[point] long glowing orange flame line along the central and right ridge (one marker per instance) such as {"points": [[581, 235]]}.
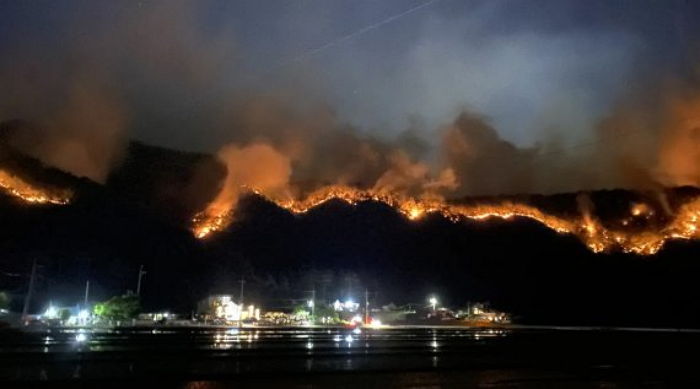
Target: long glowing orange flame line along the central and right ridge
{"points": [[596, 236]]}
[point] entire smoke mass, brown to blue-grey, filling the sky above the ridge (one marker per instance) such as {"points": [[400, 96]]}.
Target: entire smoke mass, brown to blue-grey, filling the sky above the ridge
{"points": [[548, 108]]}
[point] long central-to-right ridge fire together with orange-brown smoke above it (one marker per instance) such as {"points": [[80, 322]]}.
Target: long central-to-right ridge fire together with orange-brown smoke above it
{"points": [[473, 160]]}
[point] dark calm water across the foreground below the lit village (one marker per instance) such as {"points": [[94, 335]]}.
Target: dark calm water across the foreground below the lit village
{"points": [[401, 357]]}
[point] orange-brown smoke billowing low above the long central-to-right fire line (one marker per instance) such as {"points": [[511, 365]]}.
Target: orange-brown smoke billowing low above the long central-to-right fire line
{"points": [[640, 145]]}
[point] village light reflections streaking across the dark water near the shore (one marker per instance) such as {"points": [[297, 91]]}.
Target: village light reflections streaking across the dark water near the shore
{"points": [[311, 344]]}
